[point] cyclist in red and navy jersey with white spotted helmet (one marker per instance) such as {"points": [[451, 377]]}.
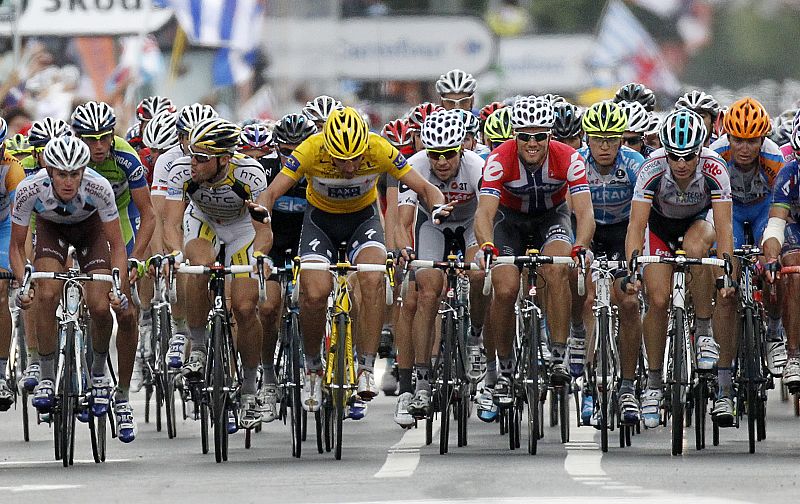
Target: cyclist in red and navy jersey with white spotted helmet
{"points": [[525, 185]]}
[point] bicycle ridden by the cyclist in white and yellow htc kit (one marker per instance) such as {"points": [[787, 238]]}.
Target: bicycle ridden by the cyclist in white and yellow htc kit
{"points": [[223, 373]]}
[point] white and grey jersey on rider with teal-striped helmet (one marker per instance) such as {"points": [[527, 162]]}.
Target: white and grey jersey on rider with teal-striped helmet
{"points": [[655, 185]]}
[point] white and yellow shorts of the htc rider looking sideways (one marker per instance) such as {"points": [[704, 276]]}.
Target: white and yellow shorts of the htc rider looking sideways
{"points": [[237, 235]]}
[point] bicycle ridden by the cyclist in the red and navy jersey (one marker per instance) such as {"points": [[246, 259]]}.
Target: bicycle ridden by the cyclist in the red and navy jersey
{"points": [[530, 378]]}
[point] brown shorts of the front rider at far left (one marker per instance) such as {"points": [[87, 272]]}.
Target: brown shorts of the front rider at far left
{"points": [[88, 238]]}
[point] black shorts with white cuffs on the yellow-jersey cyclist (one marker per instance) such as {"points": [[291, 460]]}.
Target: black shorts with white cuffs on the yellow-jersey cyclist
{"points": [[323, 232]]}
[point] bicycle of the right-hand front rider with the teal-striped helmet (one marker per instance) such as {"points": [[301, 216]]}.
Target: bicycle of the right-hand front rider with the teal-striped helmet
{"points": [[680, 356]]}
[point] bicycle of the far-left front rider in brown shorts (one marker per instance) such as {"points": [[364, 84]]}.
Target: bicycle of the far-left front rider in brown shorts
{"points": [[72, 374]]}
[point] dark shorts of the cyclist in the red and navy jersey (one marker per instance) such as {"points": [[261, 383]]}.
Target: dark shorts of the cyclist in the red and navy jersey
{"points": [[514, 231]]}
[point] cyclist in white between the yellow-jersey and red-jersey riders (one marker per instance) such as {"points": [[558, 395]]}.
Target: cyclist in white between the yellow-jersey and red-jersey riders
{"points": [[456, 172]]}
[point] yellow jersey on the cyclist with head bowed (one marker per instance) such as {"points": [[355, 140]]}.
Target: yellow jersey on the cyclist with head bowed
{"points": [[328, 189]]}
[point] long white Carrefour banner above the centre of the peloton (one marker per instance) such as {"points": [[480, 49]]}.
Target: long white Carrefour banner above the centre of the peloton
{"points": [[406, 47]]}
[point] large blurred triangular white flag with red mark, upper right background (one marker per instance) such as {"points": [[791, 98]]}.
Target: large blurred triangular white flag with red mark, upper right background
{"points": [[625, 52]]}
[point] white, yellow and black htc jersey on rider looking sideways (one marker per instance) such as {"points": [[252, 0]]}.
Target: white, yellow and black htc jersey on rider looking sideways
{"points": [[223, 201]]}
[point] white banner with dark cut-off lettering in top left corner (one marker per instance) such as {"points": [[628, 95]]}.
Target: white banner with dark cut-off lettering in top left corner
{"points": [[81, 17]]}
